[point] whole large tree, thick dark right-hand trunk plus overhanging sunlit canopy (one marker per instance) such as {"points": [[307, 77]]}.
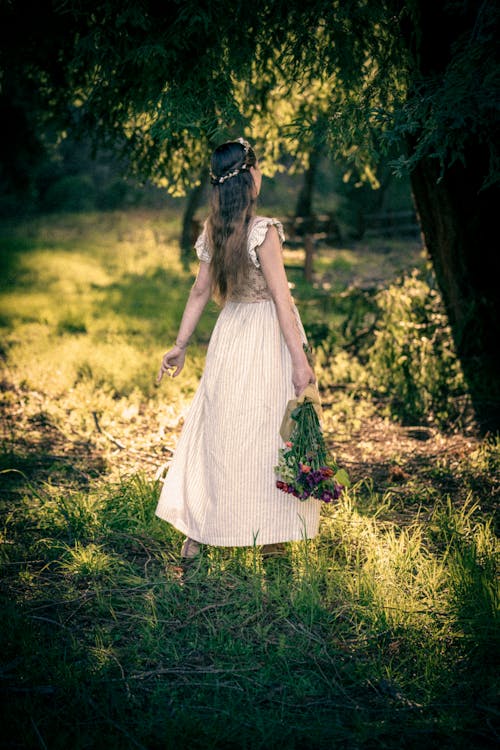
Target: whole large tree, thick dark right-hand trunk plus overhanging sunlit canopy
{"points": [[164, 81]]}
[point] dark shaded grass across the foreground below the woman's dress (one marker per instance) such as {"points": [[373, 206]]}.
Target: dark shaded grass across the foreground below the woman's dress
{"points": [[230, 657]]}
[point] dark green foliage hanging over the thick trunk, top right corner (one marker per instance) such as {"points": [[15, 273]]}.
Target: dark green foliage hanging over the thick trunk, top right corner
{"points": [[447, 110]]}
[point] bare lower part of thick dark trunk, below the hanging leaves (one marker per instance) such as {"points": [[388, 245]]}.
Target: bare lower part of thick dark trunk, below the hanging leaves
{"points": [[460, 226]]}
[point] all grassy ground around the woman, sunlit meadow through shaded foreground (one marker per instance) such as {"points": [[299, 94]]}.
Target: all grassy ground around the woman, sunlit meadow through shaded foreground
{"points": [[380, 633]]}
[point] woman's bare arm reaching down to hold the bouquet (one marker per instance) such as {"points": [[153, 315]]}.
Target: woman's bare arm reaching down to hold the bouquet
{"points": [[271, 263]]}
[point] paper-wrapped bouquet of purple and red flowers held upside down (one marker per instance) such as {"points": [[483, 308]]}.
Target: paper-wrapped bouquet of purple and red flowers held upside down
{"points": [[304, 468]]}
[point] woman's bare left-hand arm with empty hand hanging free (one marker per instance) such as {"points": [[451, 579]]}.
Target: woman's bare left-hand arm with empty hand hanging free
{"points": [[198, 297]]}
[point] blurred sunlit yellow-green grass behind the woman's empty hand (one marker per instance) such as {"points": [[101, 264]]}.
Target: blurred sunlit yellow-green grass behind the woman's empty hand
{"points": [[96, 302]]}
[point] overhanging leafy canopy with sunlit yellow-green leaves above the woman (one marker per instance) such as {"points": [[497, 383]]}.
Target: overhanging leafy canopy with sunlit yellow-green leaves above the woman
{"points": [[163, 84]]}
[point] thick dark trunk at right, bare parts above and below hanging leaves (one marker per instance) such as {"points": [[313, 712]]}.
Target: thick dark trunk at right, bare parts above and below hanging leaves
{"points": [[459, 220]]}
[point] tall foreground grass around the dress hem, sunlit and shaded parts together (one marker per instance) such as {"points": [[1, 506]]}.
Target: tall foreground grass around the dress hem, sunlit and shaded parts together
{"points": [[370, 635]]}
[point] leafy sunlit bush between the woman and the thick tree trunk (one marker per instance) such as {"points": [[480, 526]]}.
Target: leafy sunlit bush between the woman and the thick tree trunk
{"points": [[391, 344]]}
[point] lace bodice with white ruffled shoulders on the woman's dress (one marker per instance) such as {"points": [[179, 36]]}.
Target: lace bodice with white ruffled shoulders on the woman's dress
{"points": [[255, 288]]}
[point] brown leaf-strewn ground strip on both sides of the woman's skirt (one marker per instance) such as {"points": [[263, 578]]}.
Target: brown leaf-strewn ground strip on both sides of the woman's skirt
{"points": [[414, 465]]}
